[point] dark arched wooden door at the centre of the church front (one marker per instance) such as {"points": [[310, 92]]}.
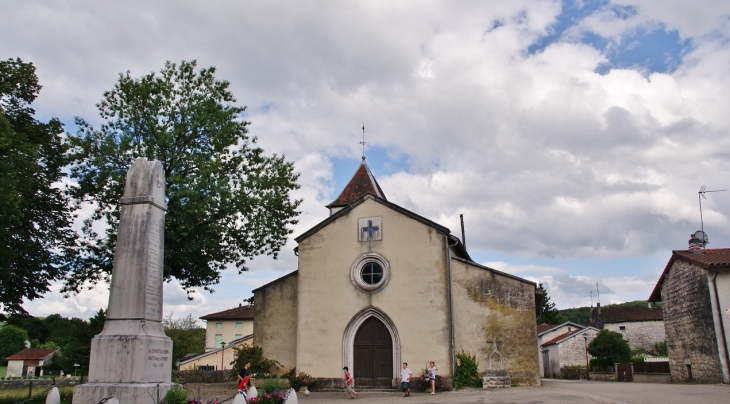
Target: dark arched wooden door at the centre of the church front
{"points": [[373, 349]]}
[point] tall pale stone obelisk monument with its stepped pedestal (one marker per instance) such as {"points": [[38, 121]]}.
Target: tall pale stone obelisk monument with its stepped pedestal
{"points": [[132, 356]]}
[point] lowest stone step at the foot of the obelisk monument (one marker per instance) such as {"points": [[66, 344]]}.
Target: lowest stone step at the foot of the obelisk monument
{"points": [[126, 393]]}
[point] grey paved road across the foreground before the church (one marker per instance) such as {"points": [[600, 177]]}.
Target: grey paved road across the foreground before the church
{"points": [[553, 391]]}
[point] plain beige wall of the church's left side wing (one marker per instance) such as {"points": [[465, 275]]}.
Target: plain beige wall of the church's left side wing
{"points": [[275, 321]]}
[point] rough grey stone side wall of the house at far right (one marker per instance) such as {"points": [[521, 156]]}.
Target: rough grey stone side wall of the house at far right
{"points": [[688, 323]]}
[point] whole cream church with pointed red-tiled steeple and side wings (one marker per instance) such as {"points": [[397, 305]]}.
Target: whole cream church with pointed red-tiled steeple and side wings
{"points": [[378, 285]]}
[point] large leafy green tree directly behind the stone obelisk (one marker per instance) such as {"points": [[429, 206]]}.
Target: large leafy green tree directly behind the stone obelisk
{"points": [[227, 201]]}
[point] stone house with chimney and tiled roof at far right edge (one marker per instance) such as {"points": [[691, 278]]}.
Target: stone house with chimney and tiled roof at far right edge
{"points": [[695, 293]]}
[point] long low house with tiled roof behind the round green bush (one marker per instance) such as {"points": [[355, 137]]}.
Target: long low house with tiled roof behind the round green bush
{"points": [[641, 326]]}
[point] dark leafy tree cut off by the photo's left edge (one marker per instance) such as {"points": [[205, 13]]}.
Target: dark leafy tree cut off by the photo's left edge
{"points": [[37, 244]]}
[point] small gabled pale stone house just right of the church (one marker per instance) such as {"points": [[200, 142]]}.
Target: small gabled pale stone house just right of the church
{"points": [[566, 349]]}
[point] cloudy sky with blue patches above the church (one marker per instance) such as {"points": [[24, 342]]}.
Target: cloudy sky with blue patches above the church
{"points": [[573, 136]]}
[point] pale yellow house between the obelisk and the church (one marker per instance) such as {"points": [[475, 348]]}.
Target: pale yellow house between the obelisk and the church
{"points": [[227, 325]]}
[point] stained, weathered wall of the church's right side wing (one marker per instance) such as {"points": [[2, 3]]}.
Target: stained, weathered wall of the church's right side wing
{"points": [[489, 305]]}
